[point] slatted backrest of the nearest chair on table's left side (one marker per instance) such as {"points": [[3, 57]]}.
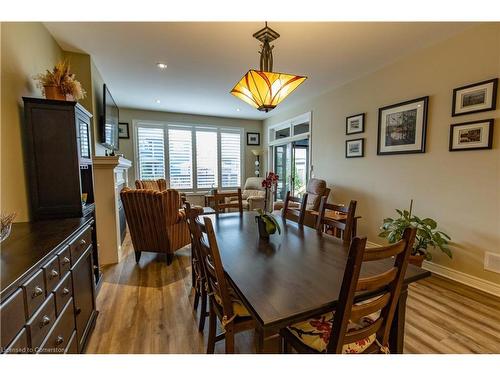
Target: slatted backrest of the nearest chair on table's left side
{"points": [[212, 263]]}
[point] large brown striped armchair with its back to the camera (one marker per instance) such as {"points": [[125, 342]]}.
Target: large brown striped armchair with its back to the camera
{"points": [[156, 221]]}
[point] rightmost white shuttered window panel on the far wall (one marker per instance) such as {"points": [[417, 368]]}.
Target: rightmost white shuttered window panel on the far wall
{"points": [[230, 144]]}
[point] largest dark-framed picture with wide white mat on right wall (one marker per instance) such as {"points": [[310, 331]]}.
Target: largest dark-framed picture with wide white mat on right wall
{"points": [[402, 127]]}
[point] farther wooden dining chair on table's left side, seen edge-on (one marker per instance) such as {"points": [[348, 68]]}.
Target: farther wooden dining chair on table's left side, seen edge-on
{"points": [[198, 278]]}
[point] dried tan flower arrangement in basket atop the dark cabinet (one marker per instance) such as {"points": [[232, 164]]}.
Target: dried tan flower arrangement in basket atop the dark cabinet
{"points": [[60, 83]]}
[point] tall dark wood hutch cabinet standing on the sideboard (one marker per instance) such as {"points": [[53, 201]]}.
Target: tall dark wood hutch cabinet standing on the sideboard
{"points": [[59, 152]]}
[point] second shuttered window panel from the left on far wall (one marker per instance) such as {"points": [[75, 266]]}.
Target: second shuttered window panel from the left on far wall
{"points": [[180, 155]]}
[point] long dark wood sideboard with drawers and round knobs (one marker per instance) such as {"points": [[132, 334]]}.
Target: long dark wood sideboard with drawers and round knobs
{"points": [[47, 298]]}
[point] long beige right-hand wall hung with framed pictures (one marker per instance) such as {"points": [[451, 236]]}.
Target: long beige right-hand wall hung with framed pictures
{"points": [[461, 190]]}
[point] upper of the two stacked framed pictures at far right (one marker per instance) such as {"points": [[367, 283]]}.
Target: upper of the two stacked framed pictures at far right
{"points": [[475, 98]]}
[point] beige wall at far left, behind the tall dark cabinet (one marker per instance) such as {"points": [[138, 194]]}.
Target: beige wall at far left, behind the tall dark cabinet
{"points": [[27, 49]]}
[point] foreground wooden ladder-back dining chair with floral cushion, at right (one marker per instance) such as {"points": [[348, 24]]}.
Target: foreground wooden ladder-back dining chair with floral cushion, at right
{"points": [[358, 325]]}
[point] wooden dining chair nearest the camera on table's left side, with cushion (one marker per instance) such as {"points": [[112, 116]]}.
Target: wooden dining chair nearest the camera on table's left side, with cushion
{"points": [[224, 303]]}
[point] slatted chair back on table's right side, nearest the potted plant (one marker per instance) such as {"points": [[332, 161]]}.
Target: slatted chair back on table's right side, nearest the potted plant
{"points": [[343, 229]]}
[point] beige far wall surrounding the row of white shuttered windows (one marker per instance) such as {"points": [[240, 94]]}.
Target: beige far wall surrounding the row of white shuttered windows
{"points": [[128, 115]]}
